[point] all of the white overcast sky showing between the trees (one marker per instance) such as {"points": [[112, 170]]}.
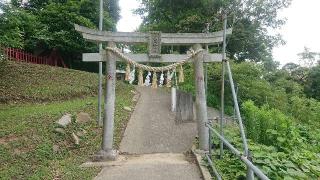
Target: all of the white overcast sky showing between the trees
{"points": [[302, 28]]}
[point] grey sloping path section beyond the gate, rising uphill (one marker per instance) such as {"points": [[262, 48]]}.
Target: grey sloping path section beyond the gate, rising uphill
{"points": [[152, 127]]}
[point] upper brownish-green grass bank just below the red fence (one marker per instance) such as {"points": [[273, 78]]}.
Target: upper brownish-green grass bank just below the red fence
{"points": [[24, 82]]}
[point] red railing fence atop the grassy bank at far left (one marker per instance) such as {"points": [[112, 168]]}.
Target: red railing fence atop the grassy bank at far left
{"points": [[21, 56]]}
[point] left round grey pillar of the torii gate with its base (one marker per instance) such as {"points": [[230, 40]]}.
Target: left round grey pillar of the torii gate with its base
{"points": [[107, 152]]}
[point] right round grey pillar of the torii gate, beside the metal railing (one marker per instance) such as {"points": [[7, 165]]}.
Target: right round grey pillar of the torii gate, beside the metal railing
{"points": [[201, 102]]}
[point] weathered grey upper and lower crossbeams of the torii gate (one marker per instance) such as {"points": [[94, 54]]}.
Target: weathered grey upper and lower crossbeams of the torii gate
{"points": [[155, 39]]}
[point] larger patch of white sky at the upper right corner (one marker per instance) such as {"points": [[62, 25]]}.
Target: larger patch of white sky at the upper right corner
{"points": [[302, 29]]}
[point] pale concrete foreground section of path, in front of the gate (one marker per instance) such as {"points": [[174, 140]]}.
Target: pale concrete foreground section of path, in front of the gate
{"points": [[152, 167]]}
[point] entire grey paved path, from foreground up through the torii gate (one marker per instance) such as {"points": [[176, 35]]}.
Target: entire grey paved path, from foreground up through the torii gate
{"points": [[155, 144]]}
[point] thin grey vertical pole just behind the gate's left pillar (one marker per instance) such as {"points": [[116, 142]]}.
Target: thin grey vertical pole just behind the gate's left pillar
{"points": [[100, 68]]}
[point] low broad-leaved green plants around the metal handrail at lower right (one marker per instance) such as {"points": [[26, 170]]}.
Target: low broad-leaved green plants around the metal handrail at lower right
{"points": [[300, 162]]}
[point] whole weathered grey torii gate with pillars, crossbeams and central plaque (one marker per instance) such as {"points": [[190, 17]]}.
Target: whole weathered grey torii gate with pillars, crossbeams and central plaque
{"points": [[155, 40]]}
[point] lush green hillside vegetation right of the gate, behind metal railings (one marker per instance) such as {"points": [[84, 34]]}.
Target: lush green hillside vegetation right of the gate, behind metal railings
{"points": [[281, 122]]}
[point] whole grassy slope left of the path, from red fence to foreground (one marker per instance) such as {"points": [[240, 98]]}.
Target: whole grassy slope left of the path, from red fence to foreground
{"points": [[27, 130]]}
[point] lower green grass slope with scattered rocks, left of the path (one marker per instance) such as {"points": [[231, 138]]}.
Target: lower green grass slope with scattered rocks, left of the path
{"points": [[27, 138]]}
